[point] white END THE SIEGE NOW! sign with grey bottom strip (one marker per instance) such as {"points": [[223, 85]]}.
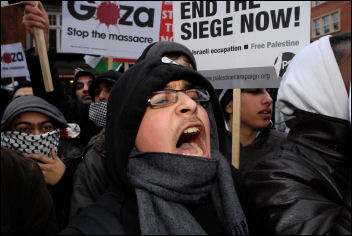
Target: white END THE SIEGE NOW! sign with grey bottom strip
{"points": [[242, 44]]}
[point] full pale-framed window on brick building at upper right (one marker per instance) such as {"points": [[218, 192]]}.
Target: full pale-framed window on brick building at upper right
{"points": [[326, 24]]}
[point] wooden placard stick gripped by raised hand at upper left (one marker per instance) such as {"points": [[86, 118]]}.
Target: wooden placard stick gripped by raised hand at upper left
{"points": [[43, 57]]}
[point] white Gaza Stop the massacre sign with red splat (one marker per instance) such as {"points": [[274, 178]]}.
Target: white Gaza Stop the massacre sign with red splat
{"points": [[120, 29]]}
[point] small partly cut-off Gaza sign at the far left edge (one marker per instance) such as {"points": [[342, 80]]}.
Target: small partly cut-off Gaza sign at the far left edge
{"points": [[13, 61]]}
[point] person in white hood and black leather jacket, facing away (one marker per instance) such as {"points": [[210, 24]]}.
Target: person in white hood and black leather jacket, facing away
{"points": [[305, 187]]}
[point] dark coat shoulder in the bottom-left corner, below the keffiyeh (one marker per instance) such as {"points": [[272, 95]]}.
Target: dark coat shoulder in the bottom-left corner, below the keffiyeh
{"points": [[26, 205]]}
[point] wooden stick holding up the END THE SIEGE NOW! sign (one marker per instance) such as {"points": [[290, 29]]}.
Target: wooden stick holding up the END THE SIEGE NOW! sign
{"points": [[236, 124]]}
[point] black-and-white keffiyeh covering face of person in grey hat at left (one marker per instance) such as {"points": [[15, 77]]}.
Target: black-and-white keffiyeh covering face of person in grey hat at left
{"points": [[27, 144]]}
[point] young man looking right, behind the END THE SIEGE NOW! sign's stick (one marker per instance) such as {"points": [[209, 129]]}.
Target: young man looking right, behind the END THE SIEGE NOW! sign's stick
{"points": [[257, 136]]}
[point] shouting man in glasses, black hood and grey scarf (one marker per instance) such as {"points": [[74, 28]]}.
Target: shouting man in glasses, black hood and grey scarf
{"points": [[167, 176]]}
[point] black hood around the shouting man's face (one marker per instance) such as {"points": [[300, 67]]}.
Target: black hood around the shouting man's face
{"points": [[128, 102]]}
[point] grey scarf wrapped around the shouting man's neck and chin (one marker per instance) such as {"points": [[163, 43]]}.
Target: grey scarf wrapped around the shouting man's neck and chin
{"points": [[166, 182]]}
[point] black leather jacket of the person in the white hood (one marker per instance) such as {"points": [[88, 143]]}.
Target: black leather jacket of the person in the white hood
{"points": [[304, 188]]}
